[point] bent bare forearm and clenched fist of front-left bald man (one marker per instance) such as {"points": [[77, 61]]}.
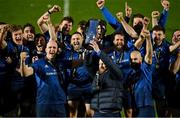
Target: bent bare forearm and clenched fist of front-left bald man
{"points": [[24, 69]]}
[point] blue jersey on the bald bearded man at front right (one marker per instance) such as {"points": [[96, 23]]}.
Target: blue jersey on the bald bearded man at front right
{"points": [[142, 87]]}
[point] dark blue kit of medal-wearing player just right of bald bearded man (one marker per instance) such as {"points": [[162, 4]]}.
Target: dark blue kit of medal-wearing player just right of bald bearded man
{"points": [[160, 68]]}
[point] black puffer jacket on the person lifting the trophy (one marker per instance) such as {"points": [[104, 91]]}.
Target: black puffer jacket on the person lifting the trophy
{"points": [[107, 87]]}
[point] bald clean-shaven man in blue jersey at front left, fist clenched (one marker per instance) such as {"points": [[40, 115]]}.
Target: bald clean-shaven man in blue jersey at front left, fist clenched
{"points": [[50, 97]]}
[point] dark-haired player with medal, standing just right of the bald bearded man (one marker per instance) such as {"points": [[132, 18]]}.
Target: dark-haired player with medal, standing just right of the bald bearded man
{"points": [[161, 56]]}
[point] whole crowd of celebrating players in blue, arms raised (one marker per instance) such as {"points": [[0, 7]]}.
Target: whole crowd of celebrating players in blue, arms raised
{"points": [[134, 70]]}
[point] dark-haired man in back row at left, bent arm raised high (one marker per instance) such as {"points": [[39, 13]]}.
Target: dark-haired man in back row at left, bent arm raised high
{"points": [[62, 30]]}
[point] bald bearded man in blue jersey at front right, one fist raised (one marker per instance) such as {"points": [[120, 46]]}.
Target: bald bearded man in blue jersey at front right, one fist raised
{"points": [[140, 80]]}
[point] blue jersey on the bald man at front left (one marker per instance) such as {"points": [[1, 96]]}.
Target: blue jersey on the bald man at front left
{"points": [[49, 90]]}
